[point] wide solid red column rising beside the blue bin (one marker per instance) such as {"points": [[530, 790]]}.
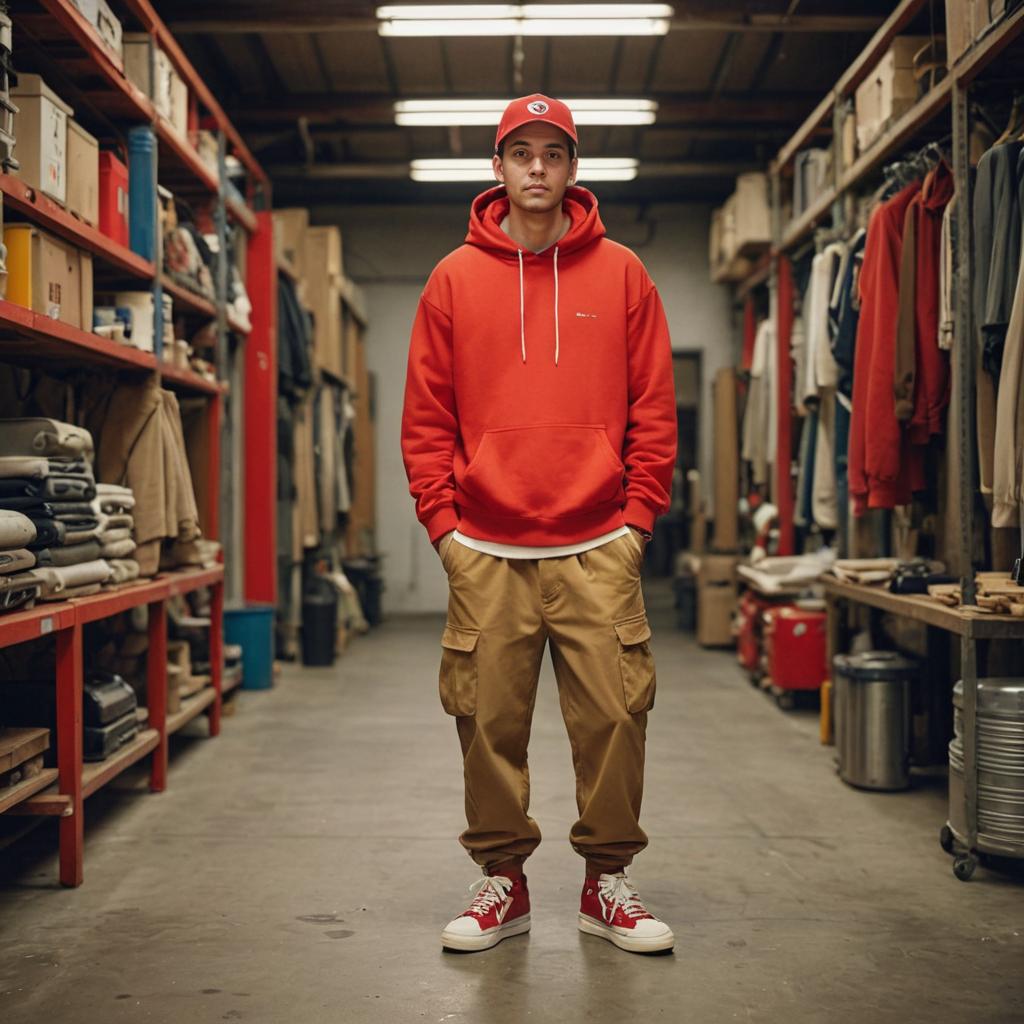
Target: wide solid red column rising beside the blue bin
{"points": [[262, 419]]}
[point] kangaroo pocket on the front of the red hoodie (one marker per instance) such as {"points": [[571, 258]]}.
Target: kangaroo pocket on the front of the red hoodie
{"points": [[549, 472]]}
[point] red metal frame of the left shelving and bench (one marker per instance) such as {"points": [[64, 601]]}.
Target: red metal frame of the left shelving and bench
{"points": [[71, 46]]}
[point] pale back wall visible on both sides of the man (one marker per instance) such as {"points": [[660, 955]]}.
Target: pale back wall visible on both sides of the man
{"points": [[392, 250]]}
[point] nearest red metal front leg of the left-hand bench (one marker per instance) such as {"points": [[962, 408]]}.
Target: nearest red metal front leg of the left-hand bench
{"points": [[69, 684]]}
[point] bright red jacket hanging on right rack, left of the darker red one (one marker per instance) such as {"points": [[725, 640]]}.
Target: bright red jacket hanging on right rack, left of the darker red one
{"points": [[883, 470]]}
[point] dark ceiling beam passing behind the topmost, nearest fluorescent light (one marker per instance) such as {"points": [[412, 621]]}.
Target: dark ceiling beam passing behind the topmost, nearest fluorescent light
{"points": [[279, 18]]}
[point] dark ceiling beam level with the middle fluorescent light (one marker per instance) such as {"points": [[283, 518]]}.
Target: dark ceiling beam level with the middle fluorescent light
{"points": [[359, 109]]}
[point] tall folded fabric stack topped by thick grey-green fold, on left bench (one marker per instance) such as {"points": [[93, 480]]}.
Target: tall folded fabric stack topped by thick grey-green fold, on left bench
{"points": [[47, 476]]}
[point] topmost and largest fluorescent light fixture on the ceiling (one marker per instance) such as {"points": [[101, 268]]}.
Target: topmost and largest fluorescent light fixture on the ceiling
{"points": [[526, 20]]}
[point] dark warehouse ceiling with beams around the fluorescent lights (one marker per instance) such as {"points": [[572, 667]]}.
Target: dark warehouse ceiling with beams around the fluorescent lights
{"points": [[312, 86]]}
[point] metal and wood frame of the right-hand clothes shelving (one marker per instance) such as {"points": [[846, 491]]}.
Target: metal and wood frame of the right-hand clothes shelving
{"points": [[953, 95]]}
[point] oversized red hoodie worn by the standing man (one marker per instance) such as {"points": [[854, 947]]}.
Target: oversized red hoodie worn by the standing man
{"points": [[540, 405]]}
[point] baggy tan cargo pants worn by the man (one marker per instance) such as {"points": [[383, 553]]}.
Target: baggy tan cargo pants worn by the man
{"points": [[501, 614]]}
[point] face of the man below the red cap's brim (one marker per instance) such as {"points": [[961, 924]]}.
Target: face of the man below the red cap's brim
{"points": [[536, 168]]}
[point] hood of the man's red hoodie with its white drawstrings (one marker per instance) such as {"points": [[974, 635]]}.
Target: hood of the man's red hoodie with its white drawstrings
{"points": [[491, 208]]}
